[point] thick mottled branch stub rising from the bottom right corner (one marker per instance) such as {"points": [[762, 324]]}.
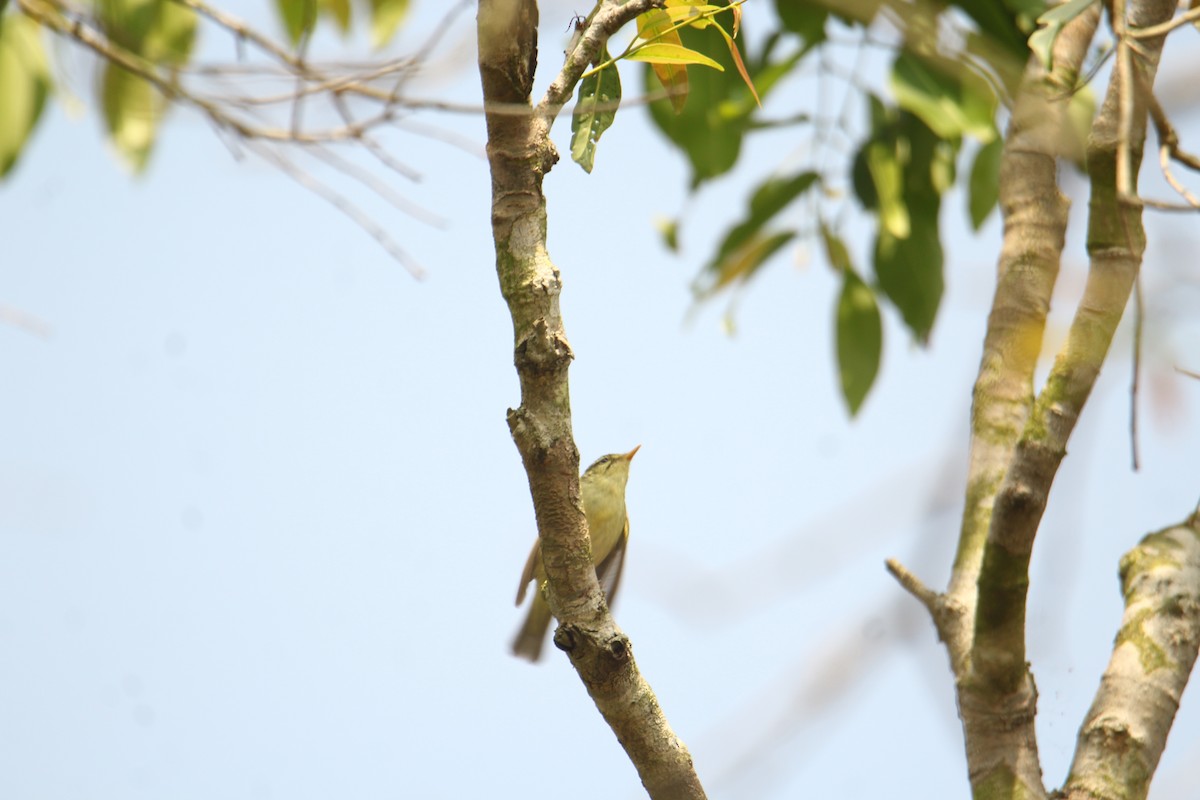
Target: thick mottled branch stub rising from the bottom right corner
{"points": [[1125, 732]]}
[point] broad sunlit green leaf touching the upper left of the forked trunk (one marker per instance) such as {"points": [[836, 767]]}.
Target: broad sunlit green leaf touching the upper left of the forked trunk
{"points": [[952, 100]]}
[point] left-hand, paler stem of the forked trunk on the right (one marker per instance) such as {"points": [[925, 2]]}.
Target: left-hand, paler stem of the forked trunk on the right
{"points": [[1035, 214]]}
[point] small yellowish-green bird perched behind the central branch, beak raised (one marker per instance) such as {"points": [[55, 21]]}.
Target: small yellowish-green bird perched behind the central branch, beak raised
{"points": [[603, 492]]}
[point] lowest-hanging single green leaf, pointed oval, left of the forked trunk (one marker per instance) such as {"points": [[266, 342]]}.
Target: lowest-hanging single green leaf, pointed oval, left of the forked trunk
{"points": [[860, 334]]}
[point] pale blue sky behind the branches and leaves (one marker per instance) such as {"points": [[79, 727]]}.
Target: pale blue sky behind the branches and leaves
{"points": [[262, 522]]}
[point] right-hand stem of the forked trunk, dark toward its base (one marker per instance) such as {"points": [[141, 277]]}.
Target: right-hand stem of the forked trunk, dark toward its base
{"points": [[1115, 244]]}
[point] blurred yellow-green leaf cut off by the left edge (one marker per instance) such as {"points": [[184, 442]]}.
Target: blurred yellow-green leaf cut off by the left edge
{"points": [[25, 86]]}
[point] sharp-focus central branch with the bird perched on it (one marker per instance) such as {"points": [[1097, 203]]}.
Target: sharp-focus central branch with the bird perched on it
{"points": [[520, 154]]}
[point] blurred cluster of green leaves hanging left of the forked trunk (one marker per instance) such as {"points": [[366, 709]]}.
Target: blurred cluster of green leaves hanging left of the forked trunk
{"points": [[953, 68]]}
